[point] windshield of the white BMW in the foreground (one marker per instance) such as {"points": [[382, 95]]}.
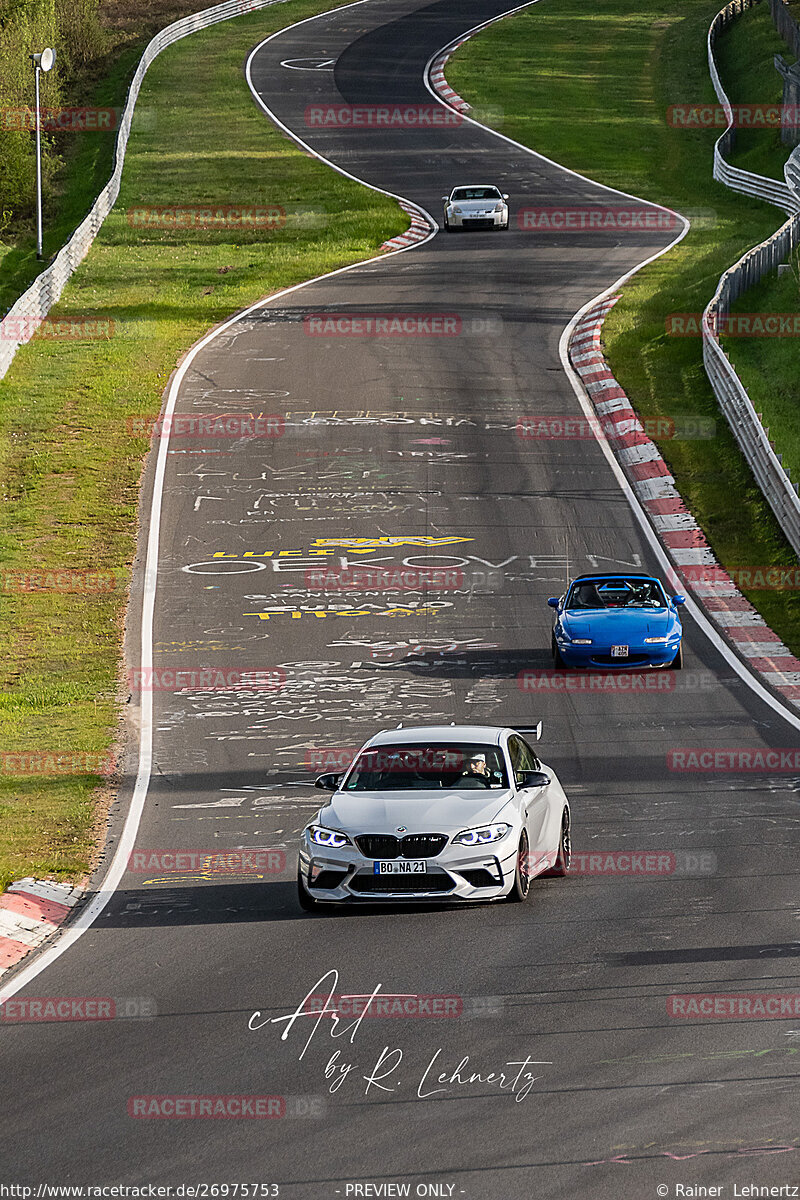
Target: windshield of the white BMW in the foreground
{"points": [[424, 766]]}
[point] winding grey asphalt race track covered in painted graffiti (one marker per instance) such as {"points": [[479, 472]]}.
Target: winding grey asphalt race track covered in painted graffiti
{"points": [[416, 437]]}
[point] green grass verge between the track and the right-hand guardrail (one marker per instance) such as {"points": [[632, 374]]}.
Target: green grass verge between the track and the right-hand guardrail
{"points": [[591, 88]]}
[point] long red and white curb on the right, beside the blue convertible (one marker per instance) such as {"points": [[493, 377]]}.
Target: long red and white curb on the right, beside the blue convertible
{"points": [[677, 529]]}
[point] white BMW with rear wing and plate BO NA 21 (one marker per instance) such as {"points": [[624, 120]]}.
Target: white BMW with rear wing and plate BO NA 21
{"points": [[437, 813]]}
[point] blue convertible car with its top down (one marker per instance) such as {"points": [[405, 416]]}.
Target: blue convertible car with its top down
{"points": [[617, 621]]}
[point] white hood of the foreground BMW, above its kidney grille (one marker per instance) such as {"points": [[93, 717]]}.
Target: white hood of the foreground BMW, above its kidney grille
{"points": [[435, 812]]}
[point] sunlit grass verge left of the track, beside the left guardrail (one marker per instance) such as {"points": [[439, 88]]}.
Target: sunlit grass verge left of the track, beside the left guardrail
{"points": [[70, 467]]}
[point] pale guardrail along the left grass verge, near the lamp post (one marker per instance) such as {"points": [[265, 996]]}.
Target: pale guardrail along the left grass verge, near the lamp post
{"points": [[21, 322]]}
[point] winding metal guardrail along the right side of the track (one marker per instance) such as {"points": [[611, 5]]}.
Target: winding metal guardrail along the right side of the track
{"points": [[732, 397]]}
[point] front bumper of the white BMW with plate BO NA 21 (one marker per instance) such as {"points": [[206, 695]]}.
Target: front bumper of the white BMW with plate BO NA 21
{"points": [[458, 874]]}
